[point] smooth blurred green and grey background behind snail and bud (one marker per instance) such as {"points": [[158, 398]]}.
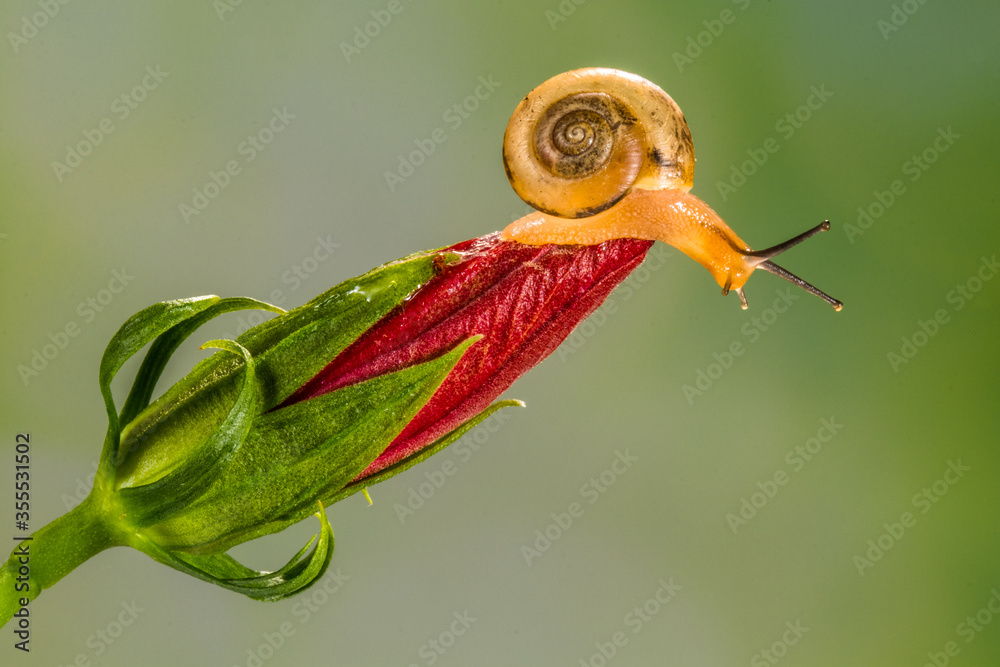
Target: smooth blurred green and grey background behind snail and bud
{"points": [[901, 82]]}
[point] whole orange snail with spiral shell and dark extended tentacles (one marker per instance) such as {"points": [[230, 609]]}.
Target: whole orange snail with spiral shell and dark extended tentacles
{"points": [[604, 154]]}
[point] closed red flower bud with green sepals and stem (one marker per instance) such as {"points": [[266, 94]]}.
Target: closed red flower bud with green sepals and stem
{"points": [[359, 384]]}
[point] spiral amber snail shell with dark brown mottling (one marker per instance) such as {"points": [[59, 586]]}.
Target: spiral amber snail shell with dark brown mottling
{"points": [[581, 141]]}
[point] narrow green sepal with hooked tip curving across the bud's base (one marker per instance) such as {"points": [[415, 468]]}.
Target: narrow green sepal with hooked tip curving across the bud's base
{"points": [[164, 497]]}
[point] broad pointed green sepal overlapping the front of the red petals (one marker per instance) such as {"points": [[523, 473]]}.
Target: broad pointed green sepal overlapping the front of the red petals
{"points": [[321, 445]]}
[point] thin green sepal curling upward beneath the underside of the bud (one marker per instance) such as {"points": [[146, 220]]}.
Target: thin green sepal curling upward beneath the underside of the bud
{"points": [[298, 573]]}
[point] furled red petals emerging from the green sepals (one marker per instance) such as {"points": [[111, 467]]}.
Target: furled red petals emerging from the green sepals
{"points": [[523, 299]]}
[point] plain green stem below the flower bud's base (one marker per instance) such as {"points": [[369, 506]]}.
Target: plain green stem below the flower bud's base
{"points": [[52, 553]]}
